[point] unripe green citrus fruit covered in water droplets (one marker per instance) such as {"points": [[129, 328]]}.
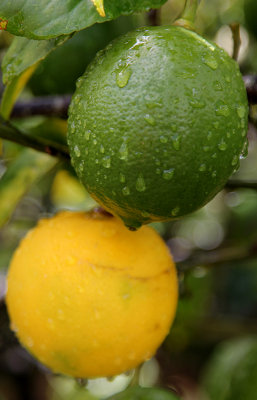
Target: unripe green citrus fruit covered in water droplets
{"points": [[157, 124]]}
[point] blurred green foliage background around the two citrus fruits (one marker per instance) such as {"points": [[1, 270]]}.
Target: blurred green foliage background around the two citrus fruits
{"points": [[211, 351]]}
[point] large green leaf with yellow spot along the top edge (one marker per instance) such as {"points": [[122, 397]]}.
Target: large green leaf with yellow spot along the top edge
{"points": [[46, 19]]}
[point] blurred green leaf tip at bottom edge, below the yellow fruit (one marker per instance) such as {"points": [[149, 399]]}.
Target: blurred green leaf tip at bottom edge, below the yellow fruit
{"points": [[140, 393]]}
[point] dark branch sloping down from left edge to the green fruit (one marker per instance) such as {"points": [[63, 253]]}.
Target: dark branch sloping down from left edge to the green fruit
{"points": [[9, 132]]}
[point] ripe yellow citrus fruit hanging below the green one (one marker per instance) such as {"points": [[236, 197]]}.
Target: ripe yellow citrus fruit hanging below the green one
{"points": [[89, 298]]}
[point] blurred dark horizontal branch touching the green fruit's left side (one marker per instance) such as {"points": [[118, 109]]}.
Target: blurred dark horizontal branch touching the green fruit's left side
{"points": [[50, 106]]}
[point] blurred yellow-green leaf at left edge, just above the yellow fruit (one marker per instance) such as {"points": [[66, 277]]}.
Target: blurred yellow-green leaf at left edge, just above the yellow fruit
{"points": [[18, 178]]}
